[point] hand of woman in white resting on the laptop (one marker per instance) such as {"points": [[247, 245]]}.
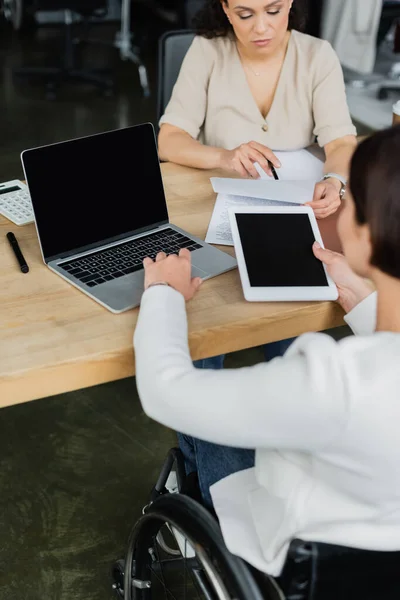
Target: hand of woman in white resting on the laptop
{"points": [[174, 270]]}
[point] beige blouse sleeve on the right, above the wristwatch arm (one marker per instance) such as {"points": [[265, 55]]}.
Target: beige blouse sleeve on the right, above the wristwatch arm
{"points": [[331, 113]]}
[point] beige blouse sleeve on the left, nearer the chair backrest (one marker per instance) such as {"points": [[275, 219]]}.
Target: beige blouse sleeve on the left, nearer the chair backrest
{"points": [[187, 106]]}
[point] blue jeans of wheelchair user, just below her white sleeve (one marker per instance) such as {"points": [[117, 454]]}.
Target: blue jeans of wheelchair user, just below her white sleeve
{"points": [[212, 462]]}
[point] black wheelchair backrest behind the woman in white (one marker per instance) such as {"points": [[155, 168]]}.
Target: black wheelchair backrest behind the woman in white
{"points": [[329, 572]]}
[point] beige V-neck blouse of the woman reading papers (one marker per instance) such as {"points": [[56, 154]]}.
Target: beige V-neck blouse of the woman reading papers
{"points": [[212, 100]]}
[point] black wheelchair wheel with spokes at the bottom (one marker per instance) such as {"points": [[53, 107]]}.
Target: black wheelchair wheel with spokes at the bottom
{"points": [[204, 568]]}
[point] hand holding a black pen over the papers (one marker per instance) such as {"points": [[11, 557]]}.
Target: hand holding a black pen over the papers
{"points": [[241, 159]]}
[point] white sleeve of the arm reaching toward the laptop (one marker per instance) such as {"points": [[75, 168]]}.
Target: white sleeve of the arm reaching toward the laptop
{"points": [[294, 402]]}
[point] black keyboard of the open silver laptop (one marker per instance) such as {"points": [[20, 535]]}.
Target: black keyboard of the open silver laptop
{"points": [[111, 263]]}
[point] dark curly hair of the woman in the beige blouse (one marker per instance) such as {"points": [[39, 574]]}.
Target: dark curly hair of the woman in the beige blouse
{"points": [[211, 21]]}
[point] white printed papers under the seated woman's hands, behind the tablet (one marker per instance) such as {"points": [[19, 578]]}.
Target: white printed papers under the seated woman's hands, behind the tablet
{"points": [[297, 177]]}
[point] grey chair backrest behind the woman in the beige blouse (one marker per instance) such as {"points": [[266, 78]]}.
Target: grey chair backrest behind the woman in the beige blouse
{"points": [[172, 48]]}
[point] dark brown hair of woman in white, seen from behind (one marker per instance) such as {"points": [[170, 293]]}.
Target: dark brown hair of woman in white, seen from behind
{"points": [[375, 186]]}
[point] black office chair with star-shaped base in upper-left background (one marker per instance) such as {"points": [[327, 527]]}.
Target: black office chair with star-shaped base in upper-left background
{"points": [[67, 70]]}
